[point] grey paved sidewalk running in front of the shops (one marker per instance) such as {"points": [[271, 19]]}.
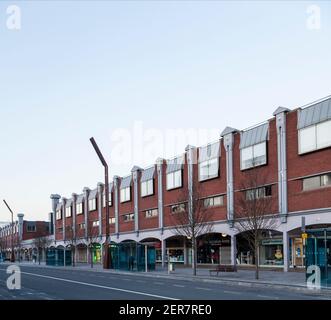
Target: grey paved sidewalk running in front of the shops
{"points": [[243, 277]]}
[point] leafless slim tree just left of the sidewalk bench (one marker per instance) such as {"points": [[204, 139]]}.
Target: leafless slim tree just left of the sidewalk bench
{"points": [[192, 223]]}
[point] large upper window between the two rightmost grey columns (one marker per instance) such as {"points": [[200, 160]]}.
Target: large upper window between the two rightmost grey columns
{"points": [[254, 156]]}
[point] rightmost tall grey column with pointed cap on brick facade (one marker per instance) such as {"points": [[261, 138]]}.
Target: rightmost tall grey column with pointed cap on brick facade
{"points": [[280, 115]]}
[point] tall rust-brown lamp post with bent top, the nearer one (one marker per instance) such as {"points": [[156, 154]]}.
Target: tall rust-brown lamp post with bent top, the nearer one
{"points": [[106, 260]]}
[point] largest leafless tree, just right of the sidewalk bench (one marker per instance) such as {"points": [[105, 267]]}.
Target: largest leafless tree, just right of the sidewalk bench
{"points": [[253, 211]]}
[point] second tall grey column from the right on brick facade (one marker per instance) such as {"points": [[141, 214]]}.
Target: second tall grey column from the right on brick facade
{"points": [[228, 141]]}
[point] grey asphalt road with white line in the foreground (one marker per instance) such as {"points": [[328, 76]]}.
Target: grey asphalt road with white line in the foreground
{"points": [[50, 283]]}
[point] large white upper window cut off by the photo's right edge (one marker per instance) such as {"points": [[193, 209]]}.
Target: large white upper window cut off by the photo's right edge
{"points": [[315, 137]]}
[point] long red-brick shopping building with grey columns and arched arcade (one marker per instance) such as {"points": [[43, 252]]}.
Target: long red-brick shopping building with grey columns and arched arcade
{"points": [[291, 150]]}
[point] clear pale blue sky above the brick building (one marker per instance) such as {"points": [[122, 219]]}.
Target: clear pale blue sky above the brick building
{"points": [[145, 79]]}
